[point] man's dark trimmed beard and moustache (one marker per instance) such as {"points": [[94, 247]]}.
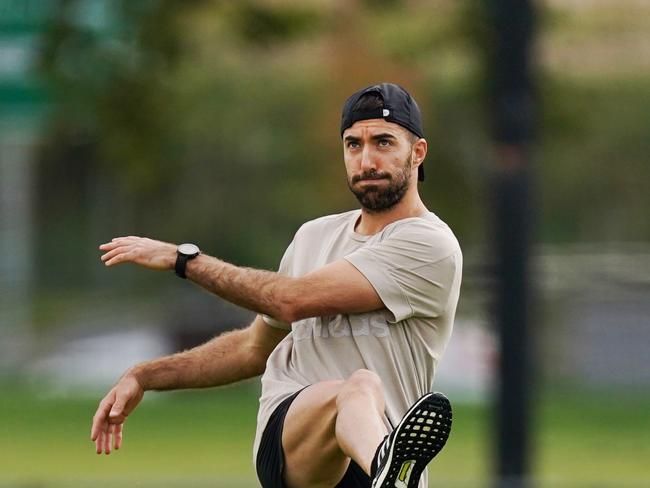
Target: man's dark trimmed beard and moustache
{"points": [[381, 198]]}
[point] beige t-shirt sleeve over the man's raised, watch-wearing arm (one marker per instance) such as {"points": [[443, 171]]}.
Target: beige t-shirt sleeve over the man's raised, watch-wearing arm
{"points": [[412, 270]]}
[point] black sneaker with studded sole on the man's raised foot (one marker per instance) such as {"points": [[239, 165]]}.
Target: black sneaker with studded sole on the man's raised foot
{"points": [[422, 433]]}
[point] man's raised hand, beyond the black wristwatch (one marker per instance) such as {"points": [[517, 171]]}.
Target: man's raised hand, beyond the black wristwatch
{"points": [[139, 250]]}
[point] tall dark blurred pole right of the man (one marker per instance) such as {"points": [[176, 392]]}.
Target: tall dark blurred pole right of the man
{"points": [[511, 187]]}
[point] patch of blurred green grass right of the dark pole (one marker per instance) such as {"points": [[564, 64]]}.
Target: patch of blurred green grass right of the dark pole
{"points": [[595, 440]]}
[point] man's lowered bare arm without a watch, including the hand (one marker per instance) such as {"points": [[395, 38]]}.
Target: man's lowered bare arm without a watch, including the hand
{"points": [[231, 357]]}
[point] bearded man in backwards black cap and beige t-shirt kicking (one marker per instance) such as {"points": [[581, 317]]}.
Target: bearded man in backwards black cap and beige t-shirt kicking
{"points": [[349, 330]]}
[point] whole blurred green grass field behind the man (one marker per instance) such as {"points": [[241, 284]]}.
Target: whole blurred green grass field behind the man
{"points": [[203, 439]]}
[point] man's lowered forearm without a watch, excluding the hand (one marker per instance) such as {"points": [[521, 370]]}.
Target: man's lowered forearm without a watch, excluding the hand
{"points": [[223, 360]]}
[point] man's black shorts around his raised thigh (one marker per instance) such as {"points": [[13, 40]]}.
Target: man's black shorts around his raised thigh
{"points": [[270, 456]]}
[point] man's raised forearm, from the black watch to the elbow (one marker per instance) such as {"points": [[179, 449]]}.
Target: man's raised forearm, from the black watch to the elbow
{"points": [[257, 290]]}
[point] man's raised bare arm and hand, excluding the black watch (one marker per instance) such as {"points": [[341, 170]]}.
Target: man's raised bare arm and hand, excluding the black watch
{"points": [[335, 288]]}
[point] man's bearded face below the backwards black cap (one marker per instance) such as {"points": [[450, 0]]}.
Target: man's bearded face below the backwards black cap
{"points": [[378, 159]]}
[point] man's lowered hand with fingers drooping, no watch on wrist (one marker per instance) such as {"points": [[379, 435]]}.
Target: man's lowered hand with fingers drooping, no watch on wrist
{"points": [[111, 414]]}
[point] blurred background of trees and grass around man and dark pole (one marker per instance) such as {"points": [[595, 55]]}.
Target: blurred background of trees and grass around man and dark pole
{"points": [[216, 122]]}
